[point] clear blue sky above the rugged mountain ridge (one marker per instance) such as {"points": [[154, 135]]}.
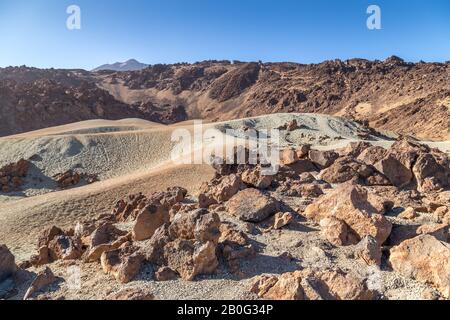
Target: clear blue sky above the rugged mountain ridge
{"points": [[34, 32]]}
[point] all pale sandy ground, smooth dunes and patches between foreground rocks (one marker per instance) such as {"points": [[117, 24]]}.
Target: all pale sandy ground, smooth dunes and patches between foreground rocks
{"points": [[132, 156]]}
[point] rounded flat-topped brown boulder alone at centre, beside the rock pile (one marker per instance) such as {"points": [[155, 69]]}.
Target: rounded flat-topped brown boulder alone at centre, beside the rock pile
{"points": [[252, 205]]}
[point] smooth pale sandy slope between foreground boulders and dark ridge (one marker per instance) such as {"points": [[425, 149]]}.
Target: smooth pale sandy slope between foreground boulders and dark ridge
{"points": [[129, 156]]}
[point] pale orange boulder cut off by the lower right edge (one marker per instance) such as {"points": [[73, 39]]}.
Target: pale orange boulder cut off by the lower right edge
{"points": [[425, 259]]}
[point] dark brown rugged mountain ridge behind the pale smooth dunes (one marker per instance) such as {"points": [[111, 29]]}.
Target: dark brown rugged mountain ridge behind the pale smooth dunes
{"points": [[409, 98]]}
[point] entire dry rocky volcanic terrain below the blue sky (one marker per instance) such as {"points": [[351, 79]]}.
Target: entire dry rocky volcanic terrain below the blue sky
{"points": [[92, 205]]}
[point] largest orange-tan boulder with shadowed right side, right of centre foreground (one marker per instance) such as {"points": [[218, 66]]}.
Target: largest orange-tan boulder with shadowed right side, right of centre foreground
{"points": [[359, 210]]}
